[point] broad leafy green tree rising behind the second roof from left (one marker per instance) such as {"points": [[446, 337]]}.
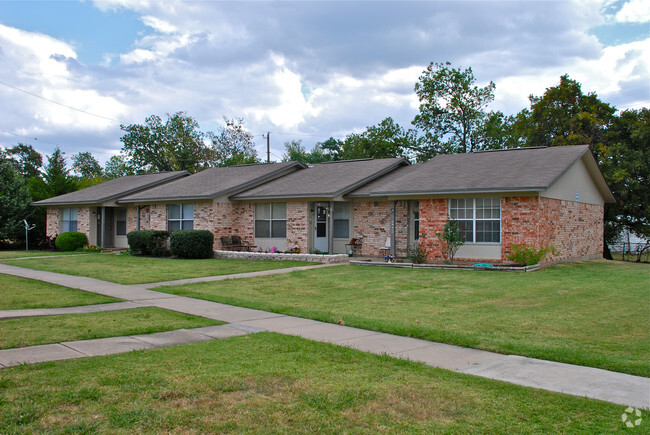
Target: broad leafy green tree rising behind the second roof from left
{"points": [[176, 145]]}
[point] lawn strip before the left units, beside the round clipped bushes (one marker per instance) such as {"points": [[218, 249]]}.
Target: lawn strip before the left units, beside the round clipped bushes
{"points": [[127, 269]]}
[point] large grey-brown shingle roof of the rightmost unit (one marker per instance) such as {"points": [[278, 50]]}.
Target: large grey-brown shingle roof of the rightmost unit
{"points": [[523, 169]]}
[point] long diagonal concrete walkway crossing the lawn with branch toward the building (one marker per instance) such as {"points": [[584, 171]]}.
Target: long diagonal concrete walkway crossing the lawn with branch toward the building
{"points": [[619, 388]]}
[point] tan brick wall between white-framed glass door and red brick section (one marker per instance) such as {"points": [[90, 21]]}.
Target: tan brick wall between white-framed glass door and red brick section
{"points": [[372, 225]]}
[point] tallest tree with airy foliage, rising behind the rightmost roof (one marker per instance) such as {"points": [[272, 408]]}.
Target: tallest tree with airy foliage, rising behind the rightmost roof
{"points": [[451, 108]]}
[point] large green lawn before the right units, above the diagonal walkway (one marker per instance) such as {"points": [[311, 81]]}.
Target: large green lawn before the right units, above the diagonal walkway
{"points": [[592, 313]]}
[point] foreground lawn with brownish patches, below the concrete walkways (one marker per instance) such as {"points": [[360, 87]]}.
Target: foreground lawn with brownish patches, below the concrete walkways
{"points": [[268, 383]]}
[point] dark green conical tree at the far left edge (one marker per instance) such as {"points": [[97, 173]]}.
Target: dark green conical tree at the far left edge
{"points": [[14, 203]]}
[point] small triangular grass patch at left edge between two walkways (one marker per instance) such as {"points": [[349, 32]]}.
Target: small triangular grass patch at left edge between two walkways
{"points": [[20, 293]]}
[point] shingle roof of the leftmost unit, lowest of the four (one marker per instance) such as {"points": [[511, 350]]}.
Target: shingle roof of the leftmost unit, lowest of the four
{"points": [[113, 189]]}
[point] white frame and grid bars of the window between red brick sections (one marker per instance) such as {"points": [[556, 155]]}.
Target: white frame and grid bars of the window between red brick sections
{"points": [[473, 219]]}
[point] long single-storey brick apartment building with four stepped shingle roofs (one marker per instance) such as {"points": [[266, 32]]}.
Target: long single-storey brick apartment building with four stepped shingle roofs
{"points": [[533, 196]]}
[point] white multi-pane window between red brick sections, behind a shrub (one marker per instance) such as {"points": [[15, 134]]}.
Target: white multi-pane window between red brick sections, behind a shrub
{"points": [[479, 219]]}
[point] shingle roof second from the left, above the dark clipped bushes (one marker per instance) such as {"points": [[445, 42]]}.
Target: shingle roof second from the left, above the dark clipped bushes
{"points": [[214, 182]]}
